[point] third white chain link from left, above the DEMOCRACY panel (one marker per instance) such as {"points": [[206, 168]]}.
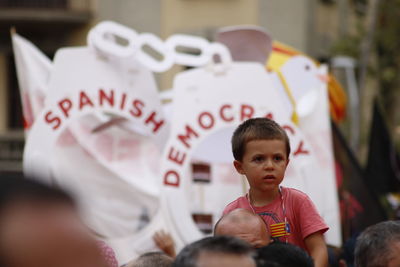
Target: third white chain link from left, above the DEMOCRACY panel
{"points": [[181, 40]]}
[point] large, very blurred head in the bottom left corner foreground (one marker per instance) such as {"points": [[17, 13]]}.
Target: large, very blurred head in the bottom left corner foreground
{"points": [[40, 226]]}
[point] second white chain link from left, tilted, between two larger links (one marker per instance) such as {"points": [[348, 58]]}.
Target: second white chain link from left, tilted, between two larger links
{"points": [[157, 44]]}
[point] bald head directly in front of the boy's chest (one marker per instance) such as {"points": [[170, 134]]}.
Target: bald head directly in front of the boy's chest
{"points": [[245, 225]]}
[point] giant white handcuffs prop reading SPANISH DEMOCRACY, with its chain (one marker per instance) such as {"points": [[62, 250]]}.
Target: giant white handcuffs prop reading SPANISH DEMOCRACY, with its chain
{"points": [[102, 134]]}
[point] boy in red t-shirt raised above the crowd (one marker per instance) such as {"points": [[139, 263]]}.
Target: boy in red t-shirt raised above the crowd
{"points": [[261, 150]]}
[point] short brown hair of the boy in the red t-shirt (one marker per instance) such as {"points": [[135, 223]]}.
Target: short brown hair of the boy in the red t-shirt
{"points": [[257, 129]]}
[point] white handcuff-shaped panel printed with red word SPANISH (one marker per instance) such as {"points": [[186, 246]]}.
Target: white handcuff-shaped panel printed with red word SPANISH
{"points": [[112, 169]]}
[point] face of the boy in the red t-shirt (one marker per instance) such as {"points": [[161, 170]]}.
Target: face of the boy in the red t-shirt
{"points": [[264, 164]]}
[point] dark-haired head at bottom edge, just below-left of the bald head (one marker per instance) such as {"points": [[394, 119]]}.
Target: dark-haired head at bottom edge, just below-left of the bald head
{"points": [[215, 252]]}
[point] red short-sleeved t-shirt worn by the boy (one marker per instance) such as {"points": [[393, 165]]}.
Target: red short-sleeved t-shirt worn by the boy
{"points": [[301, 214]]}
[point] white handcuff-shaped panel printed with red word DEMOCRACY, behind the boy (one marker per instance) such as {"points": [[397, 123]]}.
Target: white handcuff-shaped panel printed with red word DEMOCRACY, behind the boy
{"points": [[208, 106]]}
